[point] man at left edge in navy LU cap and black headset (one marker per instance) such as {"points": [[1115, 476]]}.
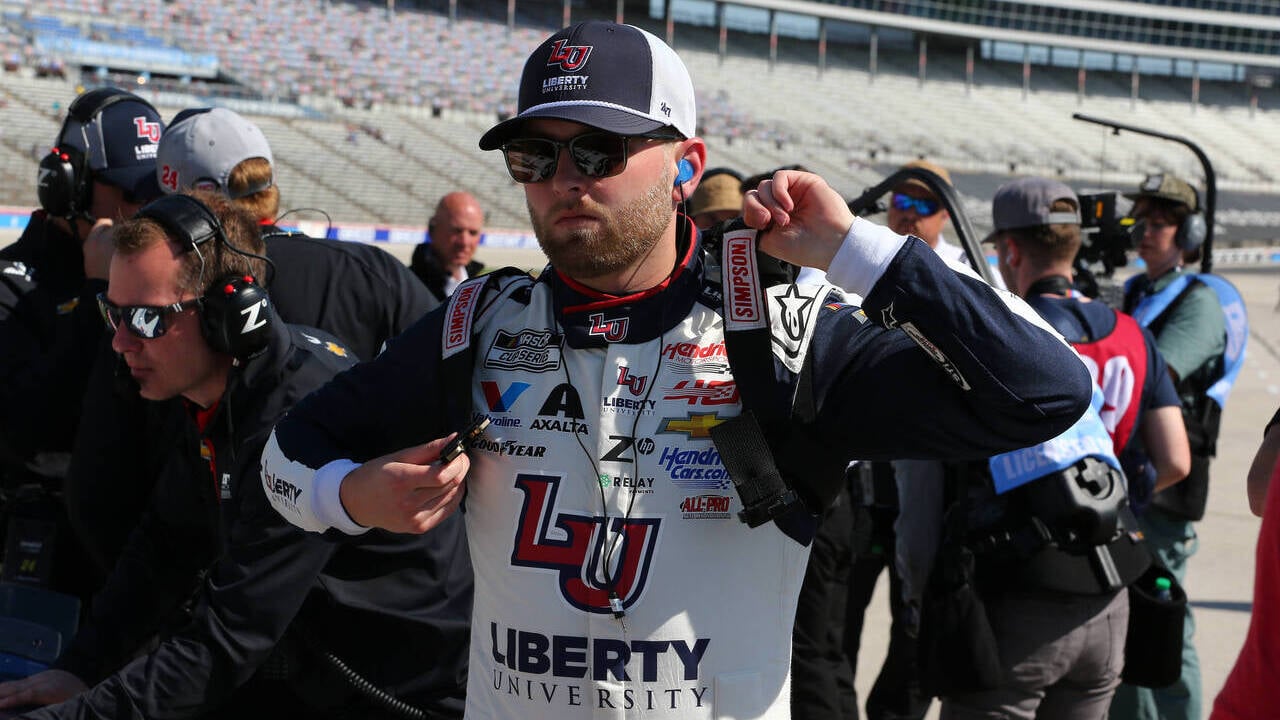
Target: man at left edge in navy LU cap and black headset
{"points": [[100, 171]]}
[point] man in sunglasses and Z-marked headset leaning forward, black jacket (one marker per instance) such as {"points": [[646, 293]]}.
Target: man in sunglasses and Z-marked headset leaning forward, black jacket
{"points": [[193, 322]]}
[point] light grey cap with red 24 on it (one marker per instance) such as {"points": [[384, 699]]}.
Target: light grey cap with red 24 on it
{"points": [[204, 145]]}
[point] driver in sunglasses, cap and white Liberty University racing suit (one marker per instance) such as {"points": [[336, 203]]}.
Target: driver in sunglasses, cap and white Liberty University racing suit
{"points": [[612, 573]]}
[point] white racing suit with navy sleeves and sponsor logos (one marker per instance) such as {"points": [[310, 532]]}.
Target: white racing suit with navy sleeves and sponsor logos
{"points": [[612, 577]]}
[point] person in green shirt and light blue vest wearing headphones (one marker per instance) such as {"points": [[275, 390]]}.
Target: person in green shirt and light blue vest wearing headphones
{"points": [[1201, 330]]}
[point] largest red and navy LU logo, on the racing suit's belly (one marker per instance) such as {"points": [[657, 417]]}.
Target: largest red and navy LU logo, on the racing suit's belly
{"points": [[573, 546]]}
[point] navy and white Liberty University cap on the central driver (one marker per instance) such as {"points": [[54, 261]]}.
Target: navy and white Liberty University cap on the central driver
{"points": [[614, 78]]}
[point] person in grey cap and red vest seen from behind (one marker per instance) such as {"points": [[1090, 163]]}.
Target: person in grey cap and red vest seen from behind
{"points": [[1058, 619]]}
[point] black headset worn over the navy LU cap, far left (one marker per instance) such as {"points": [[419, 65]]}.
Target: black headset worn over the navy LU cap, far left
{"points": [[65, 183]]}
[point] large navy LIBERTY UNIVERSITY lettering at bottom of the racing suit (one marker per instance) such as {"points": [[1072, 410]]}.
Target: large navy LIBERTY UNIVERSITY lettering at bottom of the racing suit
{"points": [[661, 675]]}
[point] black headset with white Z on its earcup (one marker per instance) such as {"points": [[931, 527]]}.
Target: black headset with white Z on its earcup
{"points": [[236, 313]]}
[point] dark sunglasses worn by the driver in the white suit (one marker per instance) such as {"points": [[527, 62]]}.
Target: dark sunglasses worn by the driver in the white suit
{"points": [[596, 154]]}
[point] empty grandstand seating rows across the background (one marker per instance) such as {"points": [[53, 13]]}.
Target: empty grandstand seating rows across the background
{"points": [[373, 119]]}
